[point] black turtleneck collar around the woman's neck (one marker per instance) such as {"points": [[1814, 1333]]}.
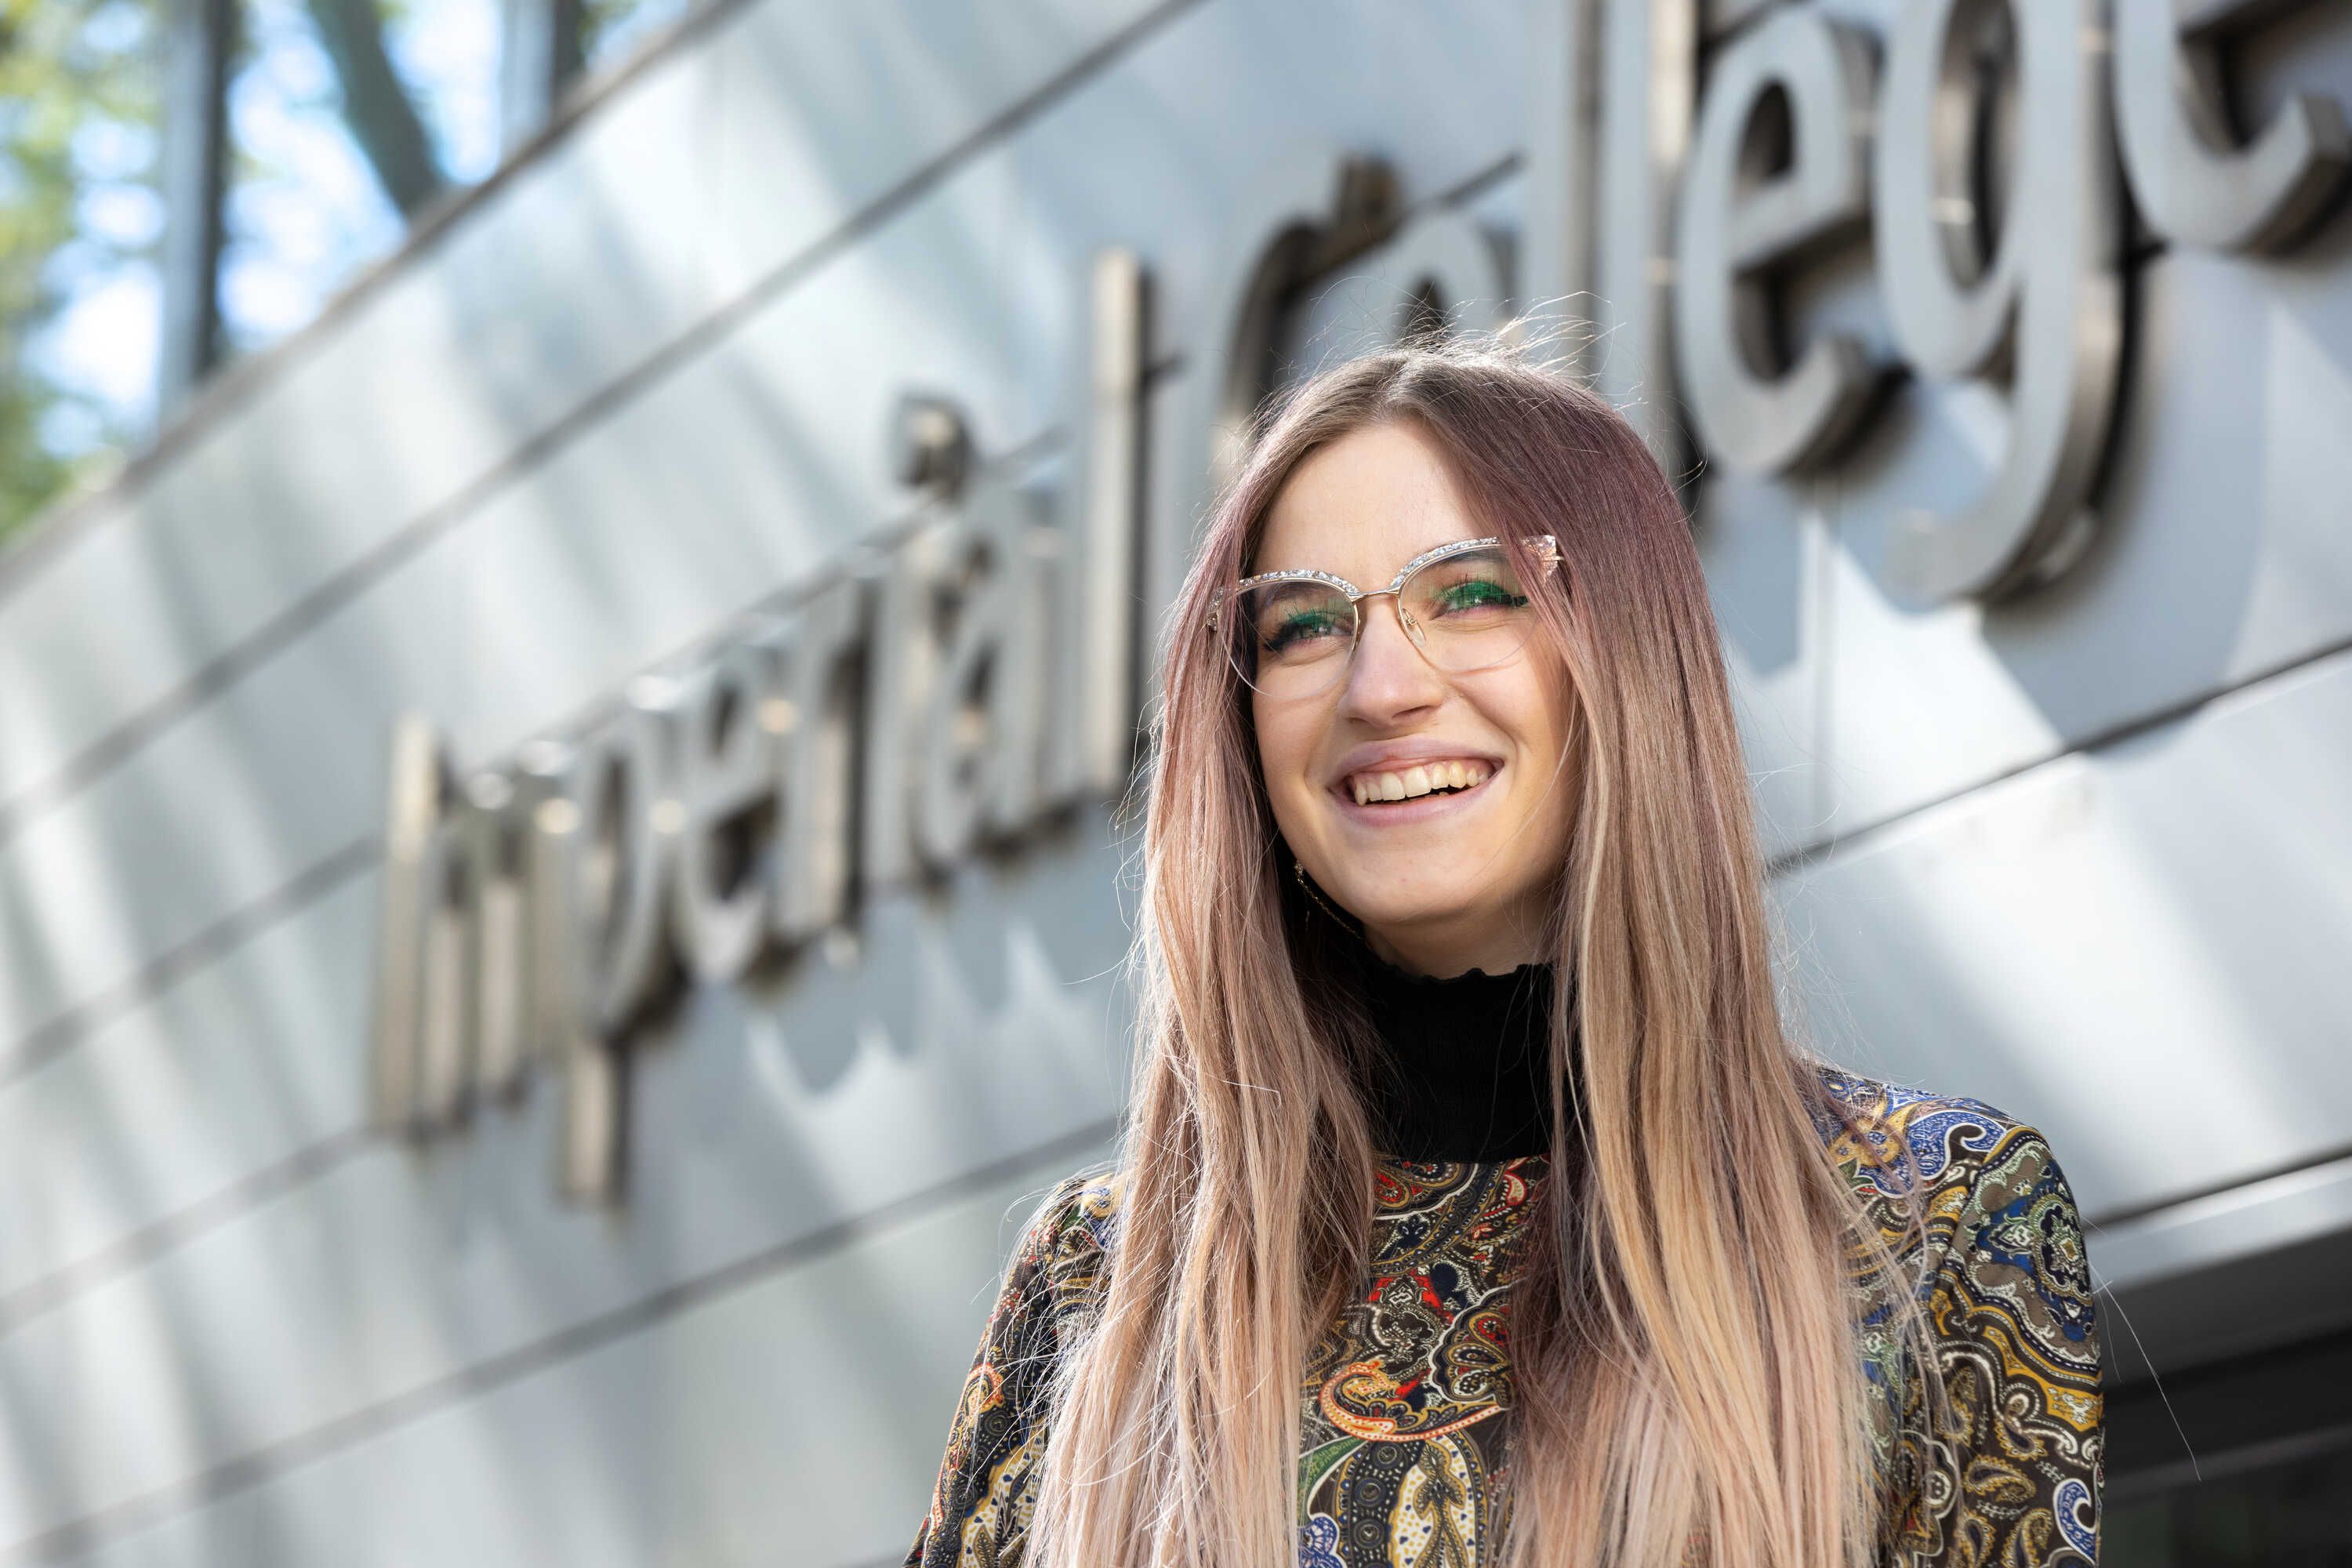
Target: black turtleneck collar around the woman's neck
{"points": [[1464, 1066]]}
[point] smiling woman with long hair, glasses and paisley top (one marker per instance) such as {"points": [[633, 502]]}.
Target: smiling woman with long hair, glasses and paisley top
{"points": [[1474, 1202]]}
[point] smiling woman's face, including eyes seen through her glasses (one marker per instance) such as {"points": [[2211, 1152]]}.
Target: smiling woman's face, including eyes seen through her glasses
{"points": [[1438, 678]]}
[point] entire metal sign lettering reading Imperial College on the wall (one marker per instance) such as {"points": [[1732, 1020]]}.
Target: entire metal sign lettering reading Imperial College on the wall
{"points": [[987, 669]]}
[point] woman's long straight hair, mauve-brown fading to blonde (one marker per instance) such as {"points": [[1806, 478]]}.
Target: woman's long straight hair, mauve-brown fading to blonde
{"points": [[1688, 1325]]}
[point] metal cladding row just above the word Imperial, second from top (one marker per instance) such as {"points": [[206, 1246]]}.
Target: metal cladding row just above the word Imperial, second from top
{"points": [[761, 457]]}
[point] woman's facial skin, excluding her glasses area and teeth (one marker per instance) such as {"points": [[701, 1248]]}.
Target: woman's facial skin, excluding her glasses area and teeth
{"points": [[1443, 883]]}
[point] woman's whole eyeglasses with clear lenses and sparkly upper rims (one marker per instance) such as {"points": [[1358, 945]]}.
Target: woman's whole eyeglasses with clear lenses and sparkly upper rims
{"points": [[1466, 605]]}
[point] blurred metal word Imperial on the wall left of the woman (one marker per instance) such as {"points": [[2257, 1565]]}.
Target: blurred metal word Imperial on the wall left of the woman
{"points": [[968, 683]]}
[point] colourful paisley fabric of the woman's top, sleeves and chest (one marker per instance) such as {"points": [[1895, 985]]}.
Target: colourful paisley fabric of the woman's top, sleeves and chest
{"points": [[1408, 1393]]}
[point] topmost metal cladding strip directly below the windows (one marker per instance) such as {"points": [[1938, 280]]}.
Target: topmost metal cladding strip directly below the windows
{"points": [[749, 152]]}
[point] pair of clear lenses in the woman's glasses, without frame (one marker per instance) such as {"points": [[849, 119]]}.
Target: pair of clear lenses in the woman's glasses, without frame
{"points": [[1295, 636]]}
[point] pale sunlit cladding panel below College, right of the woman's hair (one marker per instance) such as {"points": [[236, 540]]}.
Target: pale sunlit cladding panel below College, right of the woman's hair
{"points": [[2118, 946]]}
